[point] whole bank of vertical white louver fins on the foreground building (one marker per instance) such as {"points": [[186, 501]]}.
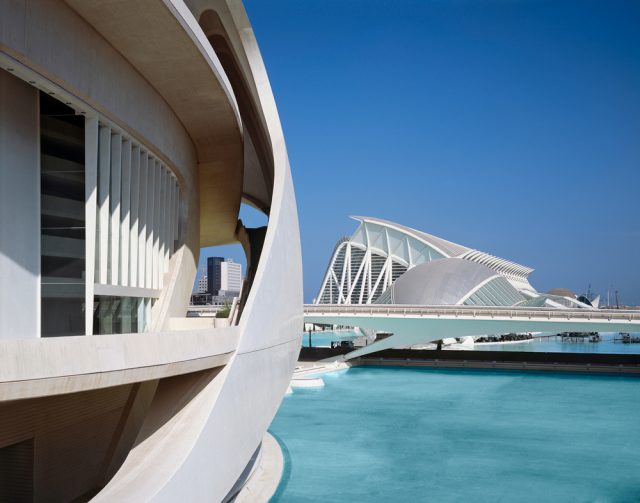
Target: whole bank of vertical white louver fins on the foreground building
{"points": [[137, 211]]}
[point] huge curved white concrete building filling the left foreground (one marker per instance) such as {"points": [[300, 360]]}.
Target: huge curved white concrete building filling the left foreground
{"points": [[130, 134]]}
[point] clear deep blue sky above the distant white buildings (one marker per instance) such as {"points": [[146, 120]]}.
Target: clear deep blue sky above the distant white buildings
{"points": [[508, 126]]}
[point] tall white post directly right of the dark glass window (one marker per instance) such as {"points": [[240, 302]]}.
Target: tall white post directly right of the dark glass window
{"points": [[90, 215]]}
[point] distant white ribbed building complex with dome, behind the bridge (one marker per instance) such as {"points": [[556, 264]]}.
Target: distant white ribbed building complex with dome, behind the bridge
{"points": [[385, 262]]}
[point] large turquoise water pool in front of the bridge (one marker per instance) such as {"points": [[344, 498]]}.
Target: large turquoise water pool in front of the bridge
{"points": [[403, 434]]}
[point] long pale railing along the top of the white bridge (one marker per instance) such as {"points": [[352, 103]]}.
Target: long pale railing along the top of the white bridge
{"points": [[472, 311]]}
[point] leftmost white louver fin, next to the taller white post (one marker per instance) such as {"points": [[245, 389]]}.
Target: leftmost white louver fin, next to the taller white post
{"points": [[104, 176]]}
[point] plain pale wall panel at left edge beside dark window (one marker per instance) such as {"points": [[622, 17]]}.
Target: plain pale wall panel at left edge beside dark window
{"points": [[20, 209]]}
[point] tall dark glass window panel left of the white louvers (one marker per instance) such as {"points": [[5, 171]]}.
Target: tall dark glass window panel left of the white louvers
{"points": [[62, 223]]}
